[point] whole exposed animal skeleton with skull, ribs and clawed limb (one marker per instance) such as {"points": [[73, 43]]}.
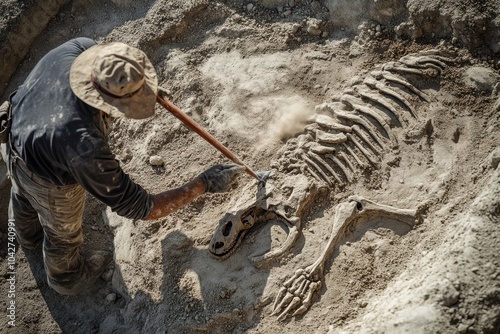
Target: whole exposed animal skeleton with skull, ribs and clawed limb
{"points": [[343, 140]]}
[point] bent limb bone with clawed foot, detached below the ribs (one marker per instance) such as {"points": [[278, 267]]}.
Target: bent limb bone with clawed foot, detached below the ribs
{"points": [[346, 213]]}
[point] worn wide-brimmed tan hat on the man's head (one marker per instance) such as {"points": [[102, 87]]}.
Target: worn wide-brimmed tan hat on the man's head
{"points": [[117, 79]]}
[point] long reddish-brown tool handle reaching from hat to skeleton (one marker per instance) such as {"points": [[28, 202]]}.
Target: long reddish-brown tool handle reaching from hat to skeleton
{"points": [[190, 123]]}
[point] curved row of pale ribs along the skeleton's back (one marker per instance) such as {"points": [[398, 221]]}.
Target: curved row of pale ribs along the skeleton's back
{"points": [[350, 135]]}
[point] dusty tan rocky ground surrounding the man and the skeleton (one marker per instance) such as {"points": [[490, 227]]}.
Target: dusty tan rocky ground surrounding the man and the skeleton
{"points": [[251, 72]]}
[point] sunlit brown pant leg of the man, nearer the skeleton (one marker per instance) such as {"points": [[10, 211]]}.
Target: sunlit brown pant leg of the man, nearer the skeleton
{"points": [[60, 212]]}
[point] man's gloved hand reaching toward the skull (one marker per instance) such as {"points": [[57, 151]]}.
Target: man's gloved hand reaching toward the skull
{"points": [[218, 178]]}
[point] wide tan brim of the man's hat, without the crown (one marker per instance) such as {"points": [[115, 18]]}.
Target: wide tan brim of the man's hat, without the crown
{"points": [[140, 105]]}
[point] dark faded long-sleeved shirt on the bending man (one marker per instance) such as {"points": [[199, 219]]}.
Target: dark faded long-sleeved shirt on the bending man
{"points": [[64, 140]]}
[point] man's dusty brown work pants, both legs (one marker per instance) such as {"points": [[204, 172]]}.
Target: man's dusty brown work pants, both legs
{"points": [[41, 210]]}
